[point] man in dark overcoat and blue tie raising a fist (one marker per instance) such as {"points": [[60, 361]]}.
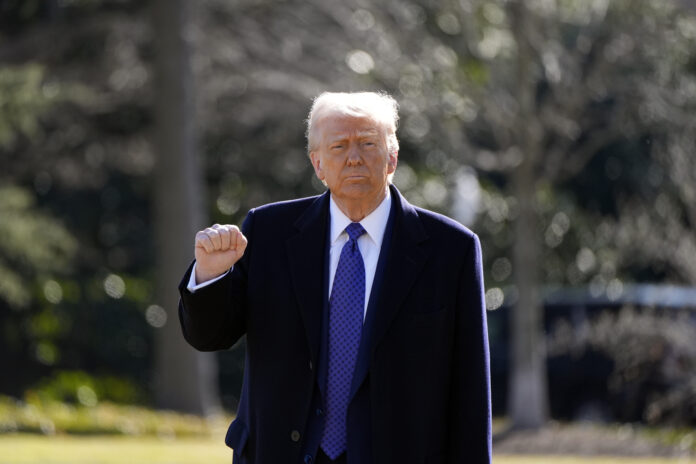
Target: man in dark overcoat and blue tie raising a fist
{"points": [[364, 315]]}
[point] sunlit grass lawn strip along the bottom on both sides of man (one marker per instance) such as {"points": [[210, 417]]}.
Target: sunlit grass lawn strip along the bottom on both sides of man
{"points": [[36, 449]]}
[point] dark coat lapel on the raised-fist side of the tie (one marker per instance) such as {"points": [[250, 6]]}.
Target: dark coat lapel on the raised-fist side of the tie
{"points": [[306, 252]]}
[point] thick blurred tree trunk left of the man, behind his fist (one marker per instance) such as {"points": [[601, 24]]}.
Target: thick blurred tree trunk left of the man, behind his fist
{"points": [[186, 380]]}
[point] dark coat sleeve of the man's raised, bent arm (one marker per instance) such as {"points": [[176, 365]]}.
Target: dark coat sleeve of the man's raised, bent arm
{"points": [[214, 317]]}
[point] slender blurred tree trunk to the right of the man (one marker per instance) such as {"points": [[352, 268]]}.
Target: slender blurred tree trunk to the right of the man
{"points": [[528, 397]]}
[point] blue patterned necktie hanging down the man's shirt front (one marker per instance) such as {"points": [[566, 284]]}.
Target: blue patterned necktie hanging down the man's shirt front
{"points": [[346, 307]]}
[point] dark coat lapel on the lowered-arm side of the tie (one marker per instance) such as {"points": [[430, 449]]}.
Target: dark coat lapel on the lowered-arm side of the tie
{"points": [[401, 260]]}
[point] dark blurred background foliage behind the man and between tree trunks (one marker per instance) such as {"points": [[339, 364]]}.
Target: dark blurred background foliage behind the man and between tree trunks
{"points": [[612, 86]]}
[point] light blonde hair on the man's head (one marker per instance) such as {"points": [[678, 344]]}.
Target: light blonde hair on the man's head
{"points": [[380, 107]]}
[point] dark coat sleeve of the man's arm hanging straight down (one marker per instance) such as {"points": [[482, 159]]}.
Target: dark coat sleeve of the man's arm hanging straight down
{"points": [[470, 420]]}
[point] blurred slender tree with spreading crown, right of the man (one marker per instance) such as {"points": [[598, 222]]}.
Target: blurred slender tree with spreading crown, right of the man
{"points": [[562, 82]]}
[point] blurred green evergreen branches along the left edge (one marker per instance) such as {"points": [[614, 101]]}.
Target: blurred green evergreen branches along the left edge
{"points": [[36, 250]]}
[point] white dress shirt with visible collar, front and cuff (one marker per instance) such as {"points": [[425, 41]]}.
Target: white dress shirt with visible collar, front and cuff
{"points": [[370, 244]]}
